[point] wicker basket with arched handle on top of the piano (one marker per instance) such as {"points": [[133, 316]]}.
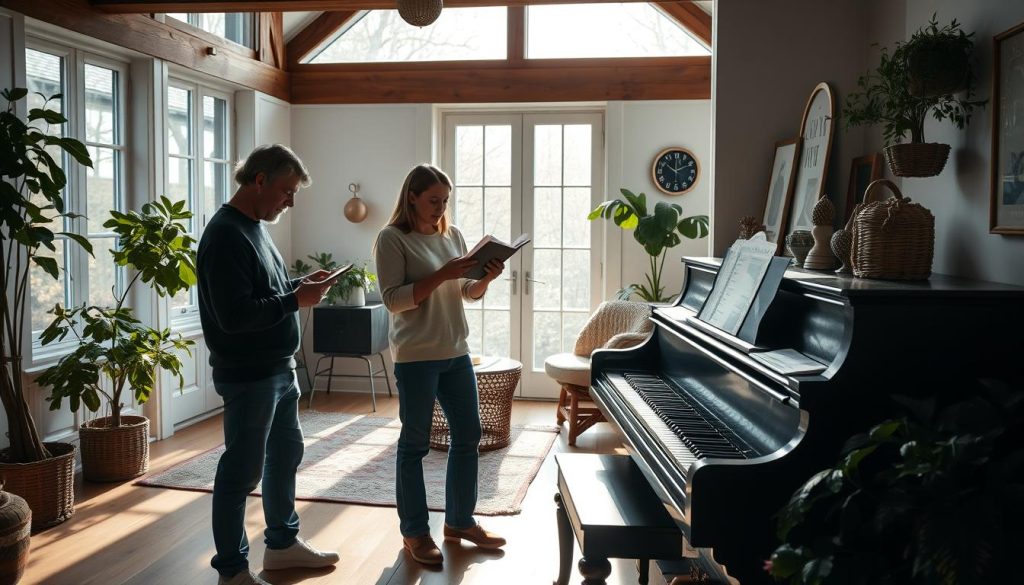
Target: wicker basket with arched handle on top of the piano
{"points": [[892, 239]]}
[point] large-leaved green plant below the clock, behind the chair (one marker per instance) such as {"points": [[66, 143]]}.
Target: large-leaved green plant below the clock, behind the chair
{"points": [[657, 233]]}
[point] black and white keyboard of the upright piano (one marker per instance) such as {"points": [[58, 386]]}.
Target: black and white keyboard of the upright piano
{"points": [[685, 432]]}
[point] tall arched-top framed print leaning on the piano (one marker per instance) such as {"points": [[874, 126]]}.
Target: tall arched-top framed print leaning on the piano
{"points": [[817, 138]]}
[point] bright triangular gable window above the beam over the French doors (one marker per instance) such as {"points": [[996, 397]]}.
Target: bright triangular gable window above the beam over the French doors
{"points": [[564, 31]]}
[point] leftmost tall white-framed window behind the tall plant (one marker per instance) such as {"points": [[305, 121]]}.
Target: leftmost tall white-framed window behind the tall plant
{"points": [[93, 99]]}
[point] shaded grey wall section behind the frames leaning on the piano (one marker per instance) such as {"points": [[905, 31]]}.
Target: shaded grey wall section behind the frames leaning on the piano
{"points": [[767, 59]]}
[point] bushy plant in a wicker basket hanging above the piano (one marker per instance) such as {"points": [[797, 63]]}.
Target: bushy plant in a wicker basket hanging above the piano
{"points": [[885, 97]]}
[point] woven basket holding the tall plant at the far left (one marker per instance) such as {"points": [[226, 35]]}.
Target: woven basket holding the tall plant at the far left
{"points": [[48, 486]]}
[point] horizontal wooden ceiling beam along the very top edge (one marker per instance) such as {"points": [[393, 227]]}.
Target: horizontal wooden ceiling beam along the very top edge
{"points": [[122, 7]]}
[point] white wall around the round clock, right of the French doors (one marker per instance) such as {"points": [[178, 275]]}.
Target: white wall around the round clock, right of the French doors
{"points": [[636, 132]]}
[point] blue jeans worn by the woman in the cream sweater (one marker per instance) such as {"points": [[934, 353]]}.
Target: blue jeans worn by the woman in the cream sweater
{"points": [[454, 385]]}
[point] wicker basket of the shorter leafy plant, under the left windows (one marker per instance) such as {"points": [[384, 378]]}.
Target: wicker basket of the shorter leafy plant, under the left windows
{"points": [[115, 454]]}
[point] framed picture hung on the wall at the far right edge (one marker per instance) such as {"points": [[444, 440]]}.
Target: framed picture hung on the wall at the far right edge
{"points": [[1006, 214]]}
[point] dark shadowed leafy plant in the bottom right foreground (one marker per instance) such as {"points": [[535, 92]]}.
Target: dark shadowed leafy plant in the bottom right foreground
{"points": [[934, 497]]}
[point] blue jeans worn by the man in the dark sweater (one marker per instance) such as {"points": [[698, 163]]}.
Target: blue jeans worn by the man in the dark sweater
{"points": [[263, 439]]}
